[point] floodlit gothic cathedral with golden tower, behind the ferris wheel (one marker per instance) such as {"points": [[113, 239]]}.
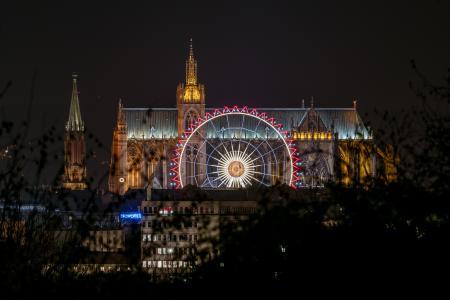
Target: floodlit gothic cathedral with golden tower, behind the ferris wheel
{"points": [[145, 141]]}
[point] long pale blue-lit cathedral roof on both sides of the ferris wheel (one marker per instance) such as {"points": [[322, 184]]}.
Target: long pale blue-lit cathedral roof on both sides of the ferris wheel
{"points": [[161, 123]]}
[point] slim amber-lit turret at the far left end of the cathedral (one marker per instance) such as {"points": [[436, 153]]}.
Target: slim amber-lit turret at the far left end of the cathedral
{"points": [[118, 170]]}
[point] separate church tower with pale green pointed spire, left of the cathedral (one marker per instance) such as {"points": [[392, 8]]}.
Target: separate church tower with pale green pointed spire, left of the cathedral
{"points": [[74, 145]]}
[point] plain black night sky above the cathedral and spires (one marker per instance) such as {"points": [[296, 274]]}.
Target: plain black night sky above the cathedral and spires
{"points": [[263, 54]]}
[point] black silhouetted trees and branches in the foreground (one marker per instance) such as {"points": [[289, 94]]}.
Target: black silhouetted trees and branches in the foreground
{"points": [[372, 233]]}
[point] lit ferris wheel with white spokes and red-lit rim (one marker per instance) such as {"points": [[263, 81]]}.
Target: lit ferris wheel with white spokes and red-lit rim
{"points": [[234, 148]]}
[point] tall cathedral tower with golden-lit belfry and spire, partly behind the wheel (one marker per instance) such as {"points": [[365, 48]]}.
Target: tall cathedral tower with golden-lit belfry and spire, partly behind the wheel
{"points": [[191, 106]]}
